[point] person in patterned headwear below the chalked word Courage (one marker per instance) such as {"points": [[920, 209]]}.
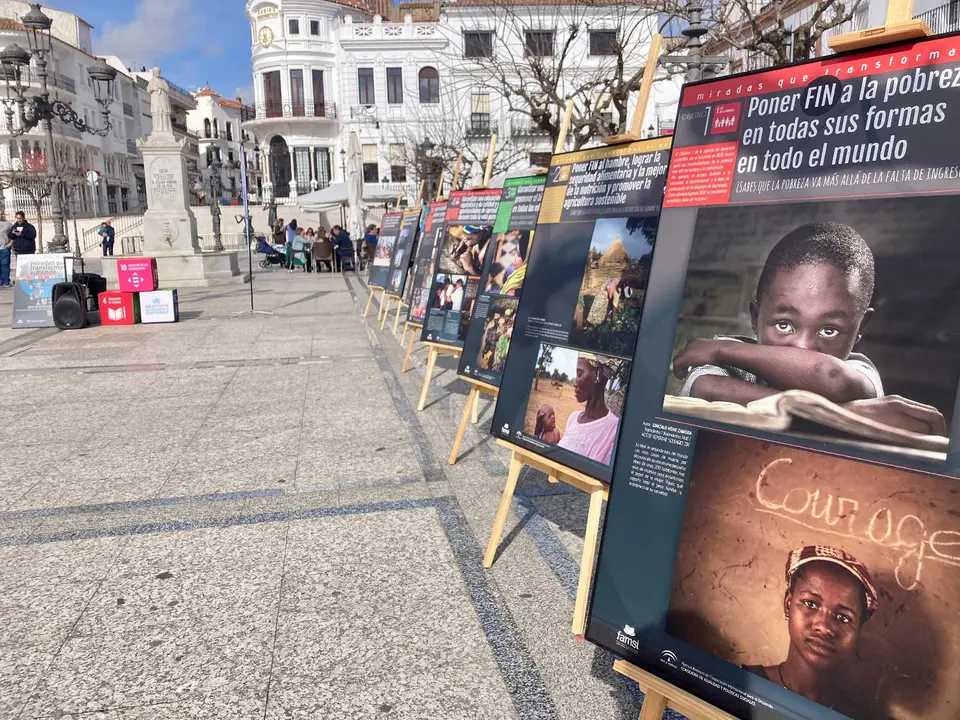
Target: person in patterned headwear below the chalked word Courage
{"points": [[829, 596]]}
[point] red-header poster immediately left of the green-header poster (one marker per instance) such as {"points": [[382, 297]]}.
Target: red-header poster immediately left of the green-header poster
{"points": [[460, 255]]}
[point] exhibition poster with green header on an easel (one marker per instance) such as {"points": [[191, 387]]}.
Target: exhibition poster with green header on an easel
{"points": [[491, 326]]}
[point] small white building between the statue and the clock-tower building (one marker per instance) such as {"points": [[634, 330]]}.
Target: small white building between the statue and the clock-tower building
{"points": [[216, 123]]}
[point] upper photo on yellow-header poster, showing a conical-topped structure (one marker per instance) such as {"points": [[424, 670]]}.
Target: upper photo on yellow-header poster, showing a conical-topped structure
{"points": [[611, 295]]}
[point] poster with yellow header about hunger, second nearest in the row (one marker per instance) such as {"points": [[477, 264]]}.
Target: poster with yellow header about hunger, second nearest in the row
{"points": [[565, 379]]}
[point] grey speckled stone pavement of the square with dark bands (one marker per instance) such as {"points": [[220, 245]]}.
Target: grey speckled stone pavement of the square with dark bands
{"points": [[243, 516]]}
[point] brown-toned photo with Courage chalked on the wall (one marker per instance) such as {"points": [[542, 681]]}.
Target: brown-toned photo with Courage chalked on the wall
{"points": [[832, 578]]}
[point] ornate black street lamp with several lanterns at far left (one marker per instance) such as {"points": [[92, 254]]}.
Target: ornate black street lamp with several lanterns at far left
{"points": [[40, 110]]}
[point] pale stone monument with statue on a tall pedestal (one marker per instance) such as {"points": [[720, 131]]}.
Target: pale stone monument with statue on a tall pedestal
{"points": [[169, 225]]}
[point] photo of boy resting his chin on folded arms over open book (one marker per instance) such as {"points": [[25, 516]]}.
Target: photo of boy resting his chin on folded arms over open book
{"points": [[824, 315]]}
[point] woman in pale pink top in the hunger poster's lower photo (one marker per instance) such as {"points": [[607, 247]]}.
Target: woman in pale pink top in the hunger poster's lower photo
{"points": [[591, 432]]}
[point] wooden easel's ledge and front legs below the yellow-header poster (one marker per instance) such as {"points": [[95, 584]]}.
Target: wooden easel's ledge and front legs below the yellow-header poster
{"points": [[555, 473]]}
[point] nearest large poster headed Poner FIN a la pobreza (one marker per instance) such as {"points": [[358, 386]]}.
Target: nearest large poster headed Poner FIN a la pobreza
{"points": [[783, 532]]}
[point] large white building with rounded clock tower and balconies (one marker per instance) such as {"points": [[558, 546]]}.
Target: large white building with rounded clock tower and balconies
{"points": [[324, 68]]}
